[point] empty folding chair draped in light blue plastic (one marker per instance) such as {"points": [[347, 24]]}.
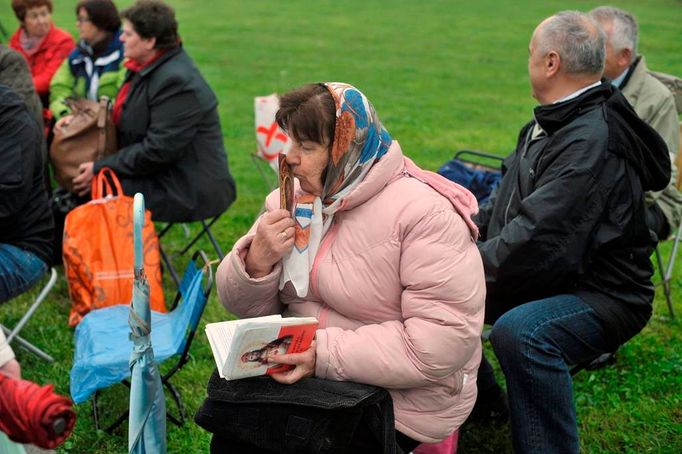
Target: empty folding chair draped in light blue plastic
{"points": [[102, 346]]}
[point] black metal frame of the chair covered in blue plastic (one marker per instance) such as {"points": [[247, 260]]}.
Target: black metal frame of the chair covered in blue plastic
{"points": [[183, 358]]}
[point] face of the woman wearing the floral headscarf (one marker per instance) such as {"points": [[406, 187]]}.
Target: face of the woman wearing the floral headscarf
{"points": [[308, 162]]}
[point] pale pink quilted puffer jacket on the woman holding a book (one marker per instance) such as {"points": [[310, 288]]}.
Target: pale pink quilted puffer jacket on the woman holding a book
{"points": [[399, 290]]}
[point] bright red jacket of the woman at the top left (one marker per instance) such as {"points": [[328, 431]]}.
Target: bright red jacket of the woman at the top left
{"points": [[46, 60]]}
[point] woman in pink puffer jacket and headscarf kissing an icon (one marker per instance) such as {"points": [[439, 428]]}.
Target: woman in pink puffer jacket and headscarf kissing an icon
{"points": [[381, 252]]}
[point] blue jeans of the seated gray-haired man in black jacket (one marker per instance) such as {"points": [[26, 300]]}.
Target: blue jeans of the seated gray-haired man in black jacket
{"points": [[536, 344]]}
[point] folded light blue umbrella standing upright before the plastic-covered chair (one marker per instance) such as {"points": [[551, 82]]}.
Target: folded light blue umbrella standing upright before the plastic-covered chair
{"points": [[147, 422]]}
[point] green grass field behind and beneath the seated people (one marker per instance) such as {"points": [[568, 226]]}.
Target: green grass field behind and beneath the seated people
{"points": [[442, 75]]}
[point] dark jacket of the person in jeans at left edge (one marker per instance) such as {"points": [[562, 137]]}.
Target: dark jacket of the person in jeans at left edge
{"points": [[25, 214]]}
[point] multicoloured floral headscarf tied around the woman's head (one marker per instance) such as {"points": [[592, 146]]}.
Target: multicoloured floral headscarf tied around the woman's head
{"points": [[360, 140]]}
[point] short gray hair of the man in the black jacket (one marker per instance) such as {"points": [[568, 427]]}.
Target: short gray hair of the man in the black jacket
{"points": [[578, 40]]}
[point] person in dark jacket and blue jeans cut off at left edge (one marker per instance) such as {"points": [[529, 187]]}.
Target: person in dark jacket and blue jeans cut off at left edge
{"points": [[26, 225]]}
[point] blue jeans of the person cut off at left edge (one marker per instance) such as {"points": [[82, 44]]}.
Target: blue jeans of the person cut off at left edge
{"points": [[19, 271]]}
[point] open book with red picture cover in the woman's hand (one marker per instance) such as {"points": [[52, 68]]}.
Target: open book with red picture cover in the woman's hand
{"points": [[241, 348]]}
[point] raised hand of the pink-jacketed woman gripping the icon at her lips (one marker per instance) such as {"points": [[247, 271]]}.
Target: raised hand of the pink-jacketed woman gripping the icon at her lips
{"points": [[274, 238]]}
